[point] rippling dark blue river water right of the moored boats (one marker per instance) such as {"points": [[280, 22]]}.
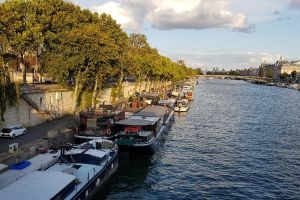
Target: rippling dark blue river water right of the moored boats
{"points": [[238, 141]]}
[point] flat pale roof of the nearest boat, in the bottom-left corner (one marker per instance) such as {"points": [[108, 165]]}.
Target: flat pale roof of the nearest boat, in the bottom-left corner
{"points": [[37, 185]]}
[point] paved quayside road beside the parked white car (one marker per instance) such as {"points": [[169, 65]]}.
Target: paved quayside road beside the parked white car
{"points": [[35, 132]]}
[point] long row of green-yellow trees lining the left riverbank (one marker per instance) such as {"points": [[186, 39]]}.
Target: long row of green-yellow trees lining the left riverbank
{"points": [[75, 46]]}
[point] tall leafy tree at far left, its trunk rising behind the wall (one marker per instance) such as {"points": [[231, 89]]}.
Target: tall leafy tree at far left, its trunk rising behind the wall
{"points": [[18, 23]]}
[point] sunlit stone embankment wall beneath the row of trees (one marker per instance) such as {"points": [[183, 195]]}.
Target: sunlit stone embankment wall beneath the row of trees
{"points": [[41, 103]]}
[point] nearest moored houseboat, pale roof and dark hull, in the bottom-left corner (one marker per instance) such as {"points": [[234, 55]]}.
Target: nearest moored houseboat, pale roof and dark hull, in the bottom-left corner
{"points": [[77, 173]]}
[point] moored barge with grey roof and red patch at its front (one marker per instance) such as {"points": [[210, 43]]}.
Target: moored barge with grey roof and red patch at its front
{"points": [[141, 130]]}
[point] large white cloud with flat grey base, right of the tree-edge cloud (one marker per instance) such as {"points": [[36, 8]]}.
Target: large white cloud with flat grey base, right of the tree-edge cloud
{"points": [[198, 15]]}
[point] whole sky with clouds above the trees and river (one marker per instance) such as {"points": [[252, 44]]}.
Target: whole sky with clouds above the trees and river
{"points": [[227, 34]]}
